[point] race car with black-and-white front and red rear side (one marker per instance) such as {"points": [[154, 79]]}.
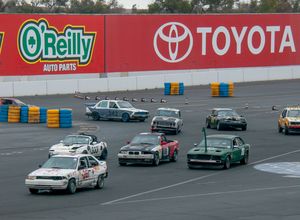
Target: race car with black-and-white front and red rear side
{"points": [[149, 148]]}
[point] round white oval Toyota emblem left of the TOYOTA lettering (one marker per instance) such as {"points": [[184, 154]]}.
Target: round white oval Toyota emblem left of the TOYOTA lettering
{"points": [[174, 34]]}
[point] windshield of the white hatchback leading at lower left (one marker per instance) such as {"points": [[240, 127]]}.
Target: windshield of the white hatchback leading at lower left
{"points": [[61, 163]]}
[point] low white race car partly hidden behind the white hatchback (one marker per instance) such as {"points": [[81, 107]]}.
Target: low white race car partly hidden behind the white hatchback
{"points": [[80, 144]]}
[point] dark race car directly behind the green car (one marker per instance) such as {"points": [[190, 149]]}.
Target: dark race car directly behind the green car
{"points": [[222, 118]]}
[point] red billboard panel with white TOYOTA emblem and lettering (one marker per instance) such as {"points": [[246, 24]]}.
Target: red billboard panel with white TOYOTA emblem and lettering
{"points": [[169, 42]]}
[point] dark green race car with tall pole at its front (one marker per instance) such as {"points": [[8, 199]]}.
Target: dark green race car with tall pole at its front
{"points": [[220, 150]]}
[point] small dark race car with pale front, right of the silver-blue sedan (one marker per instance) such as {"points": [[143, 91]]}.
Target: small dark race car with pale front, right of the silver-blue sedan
{"points": [[167, 120]]}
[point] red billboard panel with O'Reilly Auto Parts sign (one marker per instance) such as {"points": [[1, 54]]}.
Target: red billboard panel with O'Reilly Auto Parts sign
{"points": [[51, 44]]}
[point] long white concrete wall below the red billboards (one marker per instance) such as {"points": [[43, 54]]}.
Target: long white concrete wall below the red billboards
{"points": [[50, 85]]}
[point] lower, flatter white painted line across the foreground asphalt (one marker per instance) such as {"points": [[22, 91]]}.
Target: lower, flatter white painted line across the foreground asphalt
{"points": [[208, 194]]}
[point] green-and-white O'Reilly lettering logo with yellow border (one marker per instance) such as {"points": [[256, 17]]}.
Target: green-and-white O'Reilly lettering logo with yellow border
{"points": [[38, 41]]}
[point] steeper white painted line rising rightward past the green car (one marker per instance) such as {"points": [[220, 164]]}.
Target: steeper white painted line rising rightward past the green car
{"points": [[189, 181]]}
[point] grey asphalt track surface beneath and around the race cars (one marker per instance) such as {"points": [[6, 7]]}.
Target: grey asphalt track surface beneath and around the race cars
{"points": [[171, 190]]}
